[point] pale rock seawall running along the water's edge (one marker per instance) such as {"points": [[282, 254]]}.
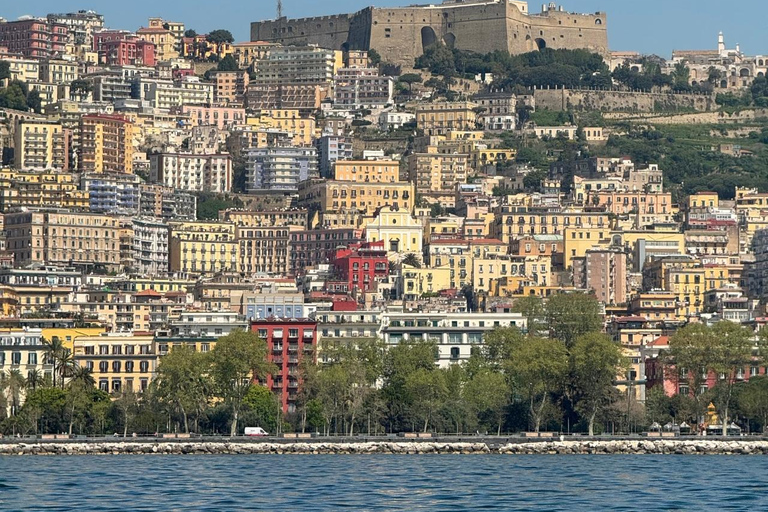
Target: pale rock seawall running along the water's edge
{"points": [[585, 447]]}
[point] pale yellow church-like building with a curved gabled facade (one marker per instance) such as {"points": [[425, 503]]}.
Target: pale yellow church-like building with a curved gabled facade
{"points": [[400, 232]]}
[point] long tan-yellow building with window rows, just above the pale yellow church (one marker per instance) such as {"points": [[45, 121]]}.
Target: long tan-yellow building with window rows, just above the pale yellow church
{"points": [[366, 198]]}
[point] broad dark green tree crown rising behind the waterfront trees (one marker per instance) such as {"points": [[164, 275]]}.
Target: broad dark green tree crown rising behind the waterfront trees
{"points": [[572, 315]]}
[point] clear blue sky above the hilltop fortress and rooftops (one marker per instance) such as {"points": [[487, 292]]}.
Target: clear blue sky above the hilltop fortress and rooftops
{"points": [[647, 26]]}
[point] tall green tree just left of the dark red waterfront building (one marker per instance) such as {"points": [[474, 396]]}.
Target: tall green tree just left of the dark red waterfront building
{"points": [[237, 360]]}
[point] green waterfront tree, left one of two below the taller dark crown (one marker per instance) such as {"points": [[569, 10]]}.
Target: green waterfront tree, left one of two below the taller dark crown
{"points": [[539, 368]]}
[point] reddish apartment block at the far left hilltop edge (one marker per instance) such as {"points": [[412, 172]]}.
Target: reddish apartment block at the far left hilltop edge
{"points": [[35, 38]]}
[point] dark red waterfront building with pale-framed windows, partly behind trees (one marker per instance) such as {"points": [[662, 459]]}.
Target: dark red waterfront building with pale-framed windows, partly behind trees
{"points": [[289, 341]]}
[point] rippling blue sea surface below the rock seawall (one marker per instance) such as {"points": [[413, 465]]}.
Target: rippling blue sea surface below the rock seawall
{"points": [[360, 483]]}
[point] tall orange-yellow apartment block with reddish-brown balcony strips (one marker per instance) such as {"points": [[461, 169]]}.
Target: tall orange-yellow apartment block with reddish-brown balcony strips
{"points": [[106, 143]]}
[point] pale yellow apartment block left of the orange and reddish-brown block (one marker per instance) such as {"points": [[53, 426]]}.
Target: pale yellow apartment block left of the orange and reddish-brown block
{"points": [[41, 145]]}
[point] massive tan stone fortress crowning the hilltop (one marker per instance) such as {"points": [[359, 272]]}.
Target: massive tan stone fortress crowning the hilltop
{"points": [[400, 34]]}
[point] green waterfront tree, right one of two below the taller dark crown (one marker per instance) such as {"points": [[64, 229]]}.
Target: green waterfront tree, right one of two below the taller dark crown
{"points": [[595, 363]]}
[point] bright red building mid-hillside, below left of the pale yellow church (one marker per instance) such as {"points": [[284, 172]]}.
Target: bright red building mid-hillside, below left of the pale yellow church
{"points": [[361, 265]]}
